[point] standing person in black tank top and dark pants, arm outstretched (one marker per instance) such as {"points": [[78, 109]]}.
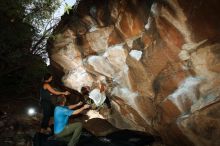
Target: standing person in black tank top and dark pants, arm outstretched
{"points": [[47, 106]]}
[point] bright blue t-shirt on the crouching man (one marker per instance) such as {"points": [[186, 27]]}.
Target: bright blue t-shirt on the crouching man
{"points": [[61, 116]]}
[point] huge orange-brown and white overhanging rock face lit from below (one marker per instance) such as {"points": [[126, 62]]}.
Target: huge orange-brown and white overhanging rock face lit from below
{"points": [[159, 59]]}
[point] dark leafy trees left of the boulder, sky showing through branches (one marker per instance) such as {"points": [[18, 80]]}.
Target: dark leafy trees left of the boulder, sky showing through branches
{"points": [[21, 25]]}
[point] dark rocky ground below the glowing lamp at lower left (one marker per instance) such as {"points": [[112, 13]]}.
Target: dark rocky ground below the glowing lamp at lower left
{"points": [[17, 131]]}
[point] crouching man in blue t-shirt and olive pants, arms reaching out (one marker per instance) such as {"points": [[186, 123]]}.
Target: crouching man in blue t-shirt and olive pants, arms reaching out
{"points": [[64, 131]]}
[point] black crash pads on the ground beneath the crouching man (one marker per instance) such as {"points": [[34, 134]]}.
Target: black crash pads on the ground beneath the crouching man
{"points": [[119, 138]]}
